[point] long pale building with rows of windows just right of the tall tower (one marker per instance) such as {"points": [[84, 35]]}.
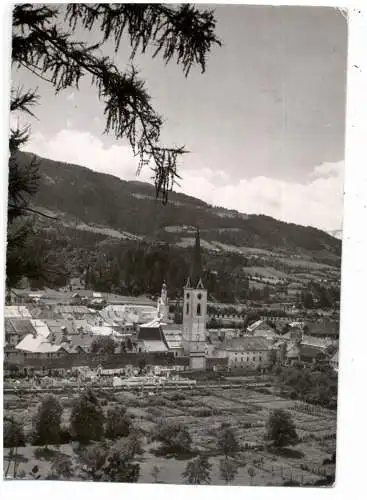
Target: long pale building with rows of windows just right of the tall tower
{"points": [[246, 352]]}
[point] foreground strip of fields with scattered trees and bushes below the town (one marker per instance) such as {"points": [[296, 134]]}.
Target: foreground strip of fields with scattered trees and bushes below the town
{"points": [[194, 436]]}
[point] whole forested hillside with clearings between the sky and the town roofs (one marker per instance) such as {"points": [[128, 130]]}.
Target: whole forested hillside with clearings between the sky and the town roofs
{"points": [[119, 238]]}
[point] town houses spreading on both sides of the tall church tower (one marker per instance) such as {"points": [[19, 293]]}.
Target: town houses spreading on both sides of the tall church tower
{"points": [[71, 335]]}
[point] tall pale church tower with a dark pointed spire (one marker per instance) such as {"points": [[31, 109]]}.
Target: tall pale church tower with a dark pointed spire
{"points": [[194, 312]]}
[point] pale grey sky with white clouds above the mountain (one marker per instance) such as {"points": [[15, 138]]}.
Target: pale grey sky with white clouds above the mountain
{"points": [[264, 124]]}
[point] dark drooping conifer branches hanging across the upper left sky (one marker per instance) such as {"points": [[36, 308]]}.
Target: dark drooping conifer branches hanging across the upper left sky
{"points": [[181, 32]]}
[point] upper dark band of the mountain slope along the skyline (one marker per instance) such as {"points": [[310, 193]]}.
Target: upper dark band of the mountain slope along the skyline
{"points": [[120, 209]]}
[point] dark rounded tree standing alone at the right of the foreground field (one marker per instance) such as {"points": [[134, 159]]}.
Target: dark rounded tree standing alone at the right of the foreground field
{"points": [[281, 430]]}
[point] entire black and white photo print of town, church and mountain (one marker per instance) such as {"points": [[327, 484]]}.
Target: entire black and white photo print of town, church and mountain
{"points": [[174, 243]]}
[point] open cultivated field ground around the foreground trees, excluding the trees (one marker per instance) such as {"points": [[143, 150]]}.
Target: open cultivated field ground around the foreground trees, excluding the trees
{"points": [[203, 411]]}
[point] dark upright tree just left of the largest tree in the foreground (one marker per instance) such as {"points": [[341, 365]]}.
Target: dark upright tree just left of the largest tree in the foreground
{"points": [[47, 422]]}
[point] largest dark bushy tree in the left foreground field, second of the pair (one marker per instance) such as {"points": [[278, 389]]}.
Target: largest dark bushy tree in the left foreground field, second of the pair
{"points": [[86, 420]]}
